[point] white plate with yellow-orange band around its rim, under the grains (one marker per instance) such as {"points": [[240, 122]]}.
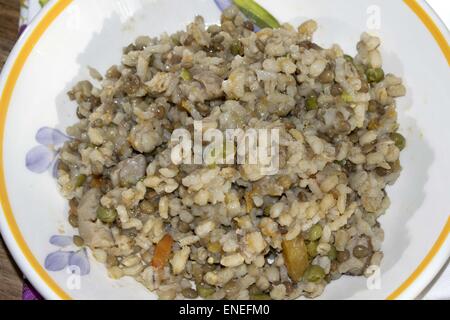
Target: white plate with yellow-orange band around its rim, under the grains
{"points": [[70, 35]]}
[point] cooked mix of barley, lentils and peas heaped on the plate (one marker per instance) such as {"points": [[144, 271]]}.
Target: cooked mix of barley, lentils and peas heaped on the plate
{"points": [[228, 231]]}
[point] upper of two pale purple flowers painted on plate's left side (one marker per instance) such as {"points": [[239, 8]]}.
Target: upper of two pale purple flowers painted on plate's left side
{"points": [[42, 157]]}
